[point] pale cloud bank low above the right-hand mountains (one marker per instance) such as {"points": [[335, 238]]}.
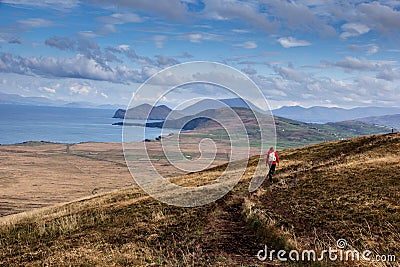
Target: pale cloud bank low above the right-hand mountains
{"points": [[310, 90]]}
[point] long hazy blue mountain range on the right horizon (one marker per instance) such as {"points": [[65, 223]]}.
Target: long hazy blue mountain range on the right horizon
{"points": [[325, 114]]}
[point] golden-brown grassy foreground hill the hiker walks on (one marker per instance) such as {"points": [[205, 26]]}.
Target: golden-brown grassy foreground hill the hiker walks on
{"points": [[344, 189]]}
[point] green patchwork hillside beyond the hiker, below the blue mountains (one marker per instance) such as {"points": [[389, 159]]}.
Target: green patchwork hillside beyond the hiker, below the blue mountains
{"points": [[290, 133]]}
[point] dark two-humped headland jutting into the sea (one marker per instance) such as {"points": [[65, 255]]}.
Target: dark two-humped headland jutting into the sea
{"points": [[146, 111]]}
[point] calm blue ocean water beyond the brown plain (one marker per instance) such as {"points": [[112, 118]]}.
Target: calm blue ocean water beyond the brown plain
{"points": [[19, 123]]}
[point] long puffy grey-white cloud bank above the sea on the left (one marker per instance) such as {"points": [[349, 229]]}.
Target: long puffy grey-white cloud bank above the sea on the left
{"points": [[94, 65]]}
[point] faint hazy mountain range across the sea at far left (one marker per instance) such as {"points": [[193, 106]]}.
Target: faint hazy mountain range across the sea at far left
{"points": [[15, 99]]}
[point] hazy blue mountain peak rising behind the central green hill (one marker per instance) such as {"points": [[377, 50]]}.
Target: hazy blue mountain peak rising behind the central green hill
{"points": [[207, 104]]}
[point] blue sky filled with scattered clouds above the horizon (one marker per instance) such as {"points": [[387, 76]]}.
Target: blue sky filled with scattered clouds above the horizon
{"points": [[309, 53]]}
